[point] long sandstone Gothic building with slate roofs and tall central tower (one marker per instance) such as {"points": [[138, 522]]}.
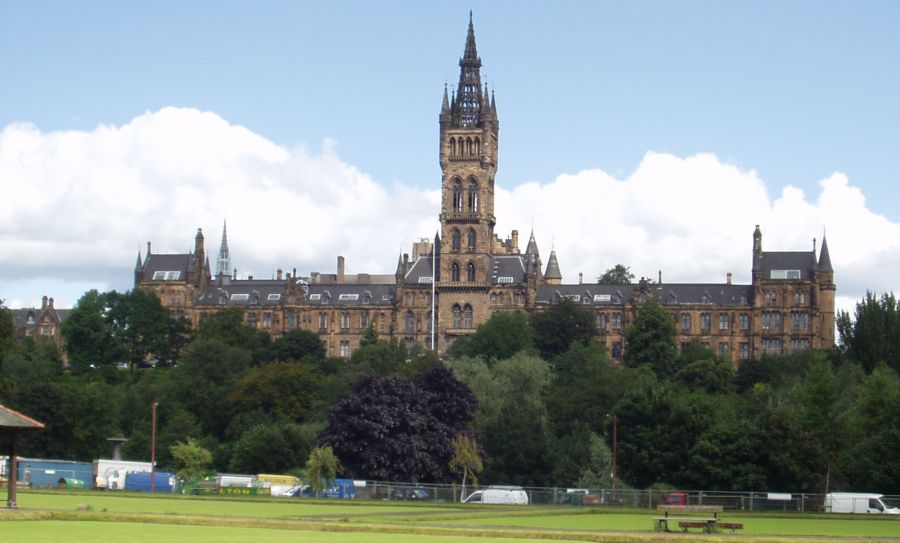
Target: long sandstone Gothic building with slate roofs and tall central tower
{"points": [[447, 287]]}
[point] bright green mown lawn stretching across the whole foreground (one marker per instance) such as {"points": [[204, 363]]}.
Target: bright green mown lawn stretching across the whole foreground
{"points": [[133, 518]]}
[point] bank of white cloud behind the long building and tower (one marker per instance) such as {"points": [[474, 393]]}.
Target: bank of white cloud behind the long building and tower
{"points": [[78, 205]]}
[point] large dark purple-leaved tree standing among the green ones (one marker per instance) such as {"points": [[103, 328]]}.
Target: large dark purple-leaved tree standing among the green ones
{"points": [[397, 429]]}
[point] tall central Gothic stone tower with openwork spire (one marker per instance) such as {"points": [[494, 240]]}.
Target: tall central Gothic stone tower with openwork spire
{"points": [[468, 159]]}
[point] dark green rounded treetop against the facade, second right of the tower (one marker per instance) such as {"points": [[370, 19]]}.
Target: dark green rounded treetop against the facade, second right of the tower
{"points": [[561, 325]]}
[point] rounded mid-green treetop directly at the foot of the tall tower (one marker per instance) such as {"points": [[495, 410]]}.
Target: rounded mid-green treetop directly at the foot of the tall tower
{"points": [[502, 336]]}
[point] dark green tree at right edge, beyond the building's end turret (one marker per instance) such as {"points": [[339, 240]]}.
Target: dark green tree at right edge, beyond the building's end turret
{"points": [[873, 335]]}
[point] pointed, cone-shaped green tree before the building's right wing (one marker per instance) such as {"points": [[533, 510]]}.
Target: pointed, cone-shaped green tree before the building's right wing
{"points": [[650, 340]]}
